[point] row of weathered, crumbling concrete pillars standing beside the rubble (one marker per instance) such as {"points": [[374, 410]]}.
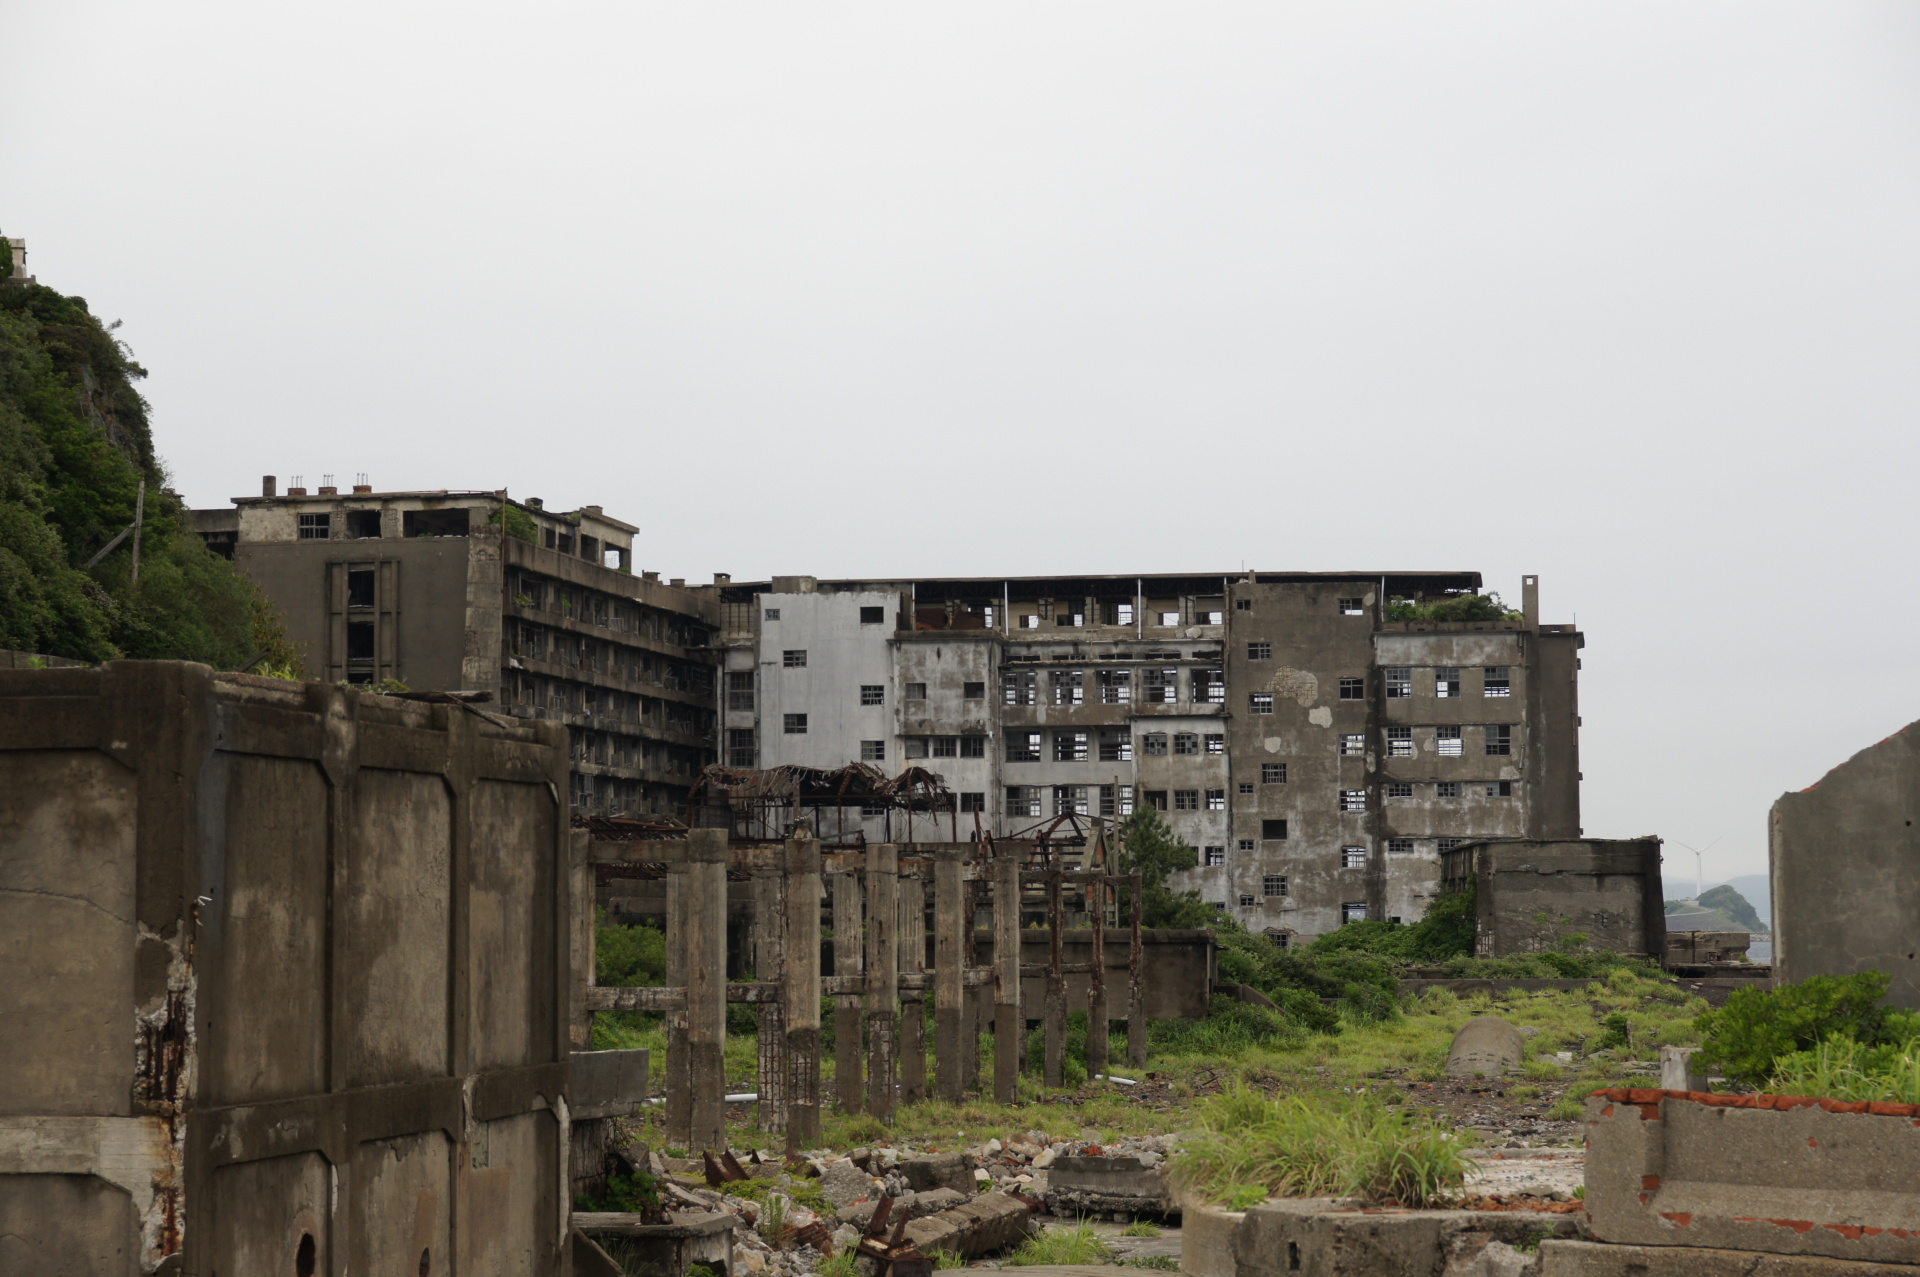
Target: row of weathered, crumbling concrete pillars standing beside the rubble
{"points": [[878, 907]]}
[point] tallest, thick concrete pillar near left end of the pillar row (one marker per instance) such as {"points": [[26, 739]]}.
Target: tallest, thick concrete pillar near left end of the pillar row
{"points": [[706, 963]]}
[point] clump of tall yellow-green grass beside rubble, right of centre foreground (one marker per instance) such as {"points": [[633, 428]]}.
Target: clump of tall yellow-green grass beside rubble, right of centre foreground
{"points": [[1320, 1147]]}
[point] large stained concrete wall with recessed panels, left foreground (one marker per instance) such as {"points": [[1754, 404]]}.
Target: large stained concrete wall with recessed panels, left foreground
{"points": [[287, 982]]}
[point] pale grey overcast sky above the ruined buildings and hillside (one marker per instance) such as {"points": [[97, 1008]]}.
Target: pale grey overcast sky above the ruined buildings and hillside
{"points": [[1623, 295]]}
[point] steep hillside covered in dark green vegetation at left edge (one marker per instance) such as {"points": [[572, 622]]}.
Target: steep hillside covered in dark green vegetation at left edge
{"points": [[74, 450]]}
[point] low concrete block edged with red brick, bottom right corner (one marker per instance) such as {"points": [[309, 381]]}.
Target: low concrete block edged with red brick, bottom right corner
{"points": [[1764, 1174]]}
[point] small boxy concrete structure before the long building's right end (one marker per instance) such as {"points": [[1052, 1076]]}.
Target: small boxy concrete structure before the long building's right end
{"points": [[1533, 894]]}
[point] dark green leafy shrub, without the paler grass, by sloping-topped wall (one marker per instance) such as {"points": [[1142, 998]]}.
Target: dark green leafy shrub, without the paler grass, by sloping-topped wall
{"points": [[1750, 1036]]}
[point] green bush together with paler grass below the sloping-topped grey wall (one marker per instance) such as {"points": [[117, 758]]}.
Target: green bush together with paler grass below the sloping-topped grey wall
{"points": [[1821, 1036]]}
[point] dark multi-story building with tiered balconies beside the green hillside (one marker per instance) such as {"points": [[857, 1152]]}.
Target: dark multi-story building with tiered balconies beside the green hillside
{"points": [[477, 592]]}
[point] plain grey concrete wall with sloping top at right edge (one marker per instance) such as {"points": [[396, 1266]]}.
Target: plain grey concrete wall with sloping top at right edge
{"points": [[1846, 871]]}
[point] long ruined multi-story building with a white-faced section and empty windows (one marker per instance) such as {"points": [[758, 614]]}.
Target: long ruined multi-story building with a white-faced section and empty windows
{"points": [[1316, 754]]}
